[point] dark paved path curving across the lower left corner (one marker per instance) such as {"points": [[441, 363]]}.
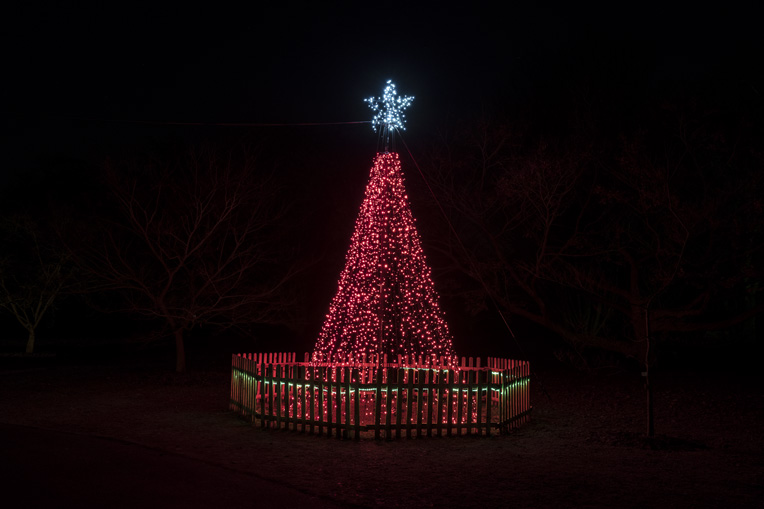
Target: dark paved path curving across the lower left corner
{"points": [[42, 468]]}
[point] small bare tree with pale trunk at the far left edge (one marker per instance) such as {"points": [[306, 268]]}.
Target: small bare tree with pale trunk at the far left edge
{"points": [[33, 273]]}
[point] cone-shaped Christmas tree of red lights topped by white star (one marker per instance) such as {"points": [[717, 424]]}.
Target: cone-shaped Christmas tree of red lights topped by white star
{"points": [[386, 302]]}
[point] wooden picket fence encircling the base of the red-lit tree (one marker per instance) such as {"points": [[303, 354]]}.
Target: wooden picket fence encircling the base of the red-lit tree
{"points": [[374, 397]]}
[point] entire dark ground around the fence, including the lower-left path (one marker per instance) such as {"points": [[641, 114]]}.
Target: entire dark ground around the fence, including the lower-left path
{"points": [[582, 448]]}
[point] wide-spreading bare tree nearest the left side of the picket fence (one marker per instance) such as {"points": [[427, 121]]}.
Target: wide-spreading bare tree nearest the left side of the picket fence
{"points": [[194, 242]]}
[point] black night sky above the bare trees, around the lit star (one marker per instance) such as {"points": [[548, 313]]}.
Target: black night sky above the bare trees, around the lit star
{"points": [[81, 85]]}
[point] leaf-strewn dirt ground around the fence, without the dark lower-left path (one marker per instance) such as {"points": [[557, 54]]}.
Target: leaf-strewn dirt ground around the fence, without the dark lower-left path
{"points": [[582, 448]]}
